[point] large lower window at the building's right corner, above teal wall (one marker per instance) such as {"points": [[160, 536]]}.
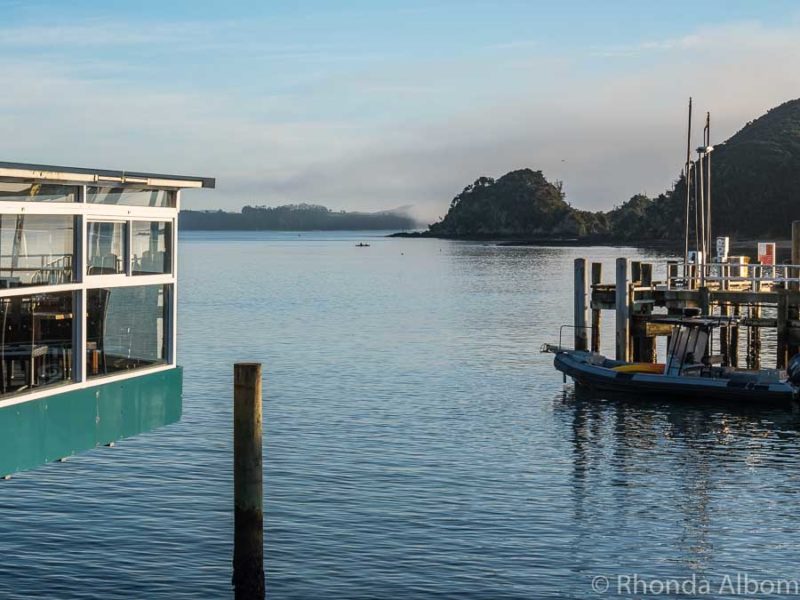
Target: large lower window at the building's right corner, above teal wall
{"points": [[126, 328]]}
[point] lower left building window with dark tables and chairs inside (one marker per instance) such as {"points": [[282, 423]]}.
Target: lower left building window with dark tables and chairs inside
{"points": [[35, 342]]}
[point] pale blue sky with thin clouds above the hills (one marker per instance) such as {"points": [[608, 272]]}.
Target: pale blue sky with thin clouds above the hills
{"points": [[371, 105]]}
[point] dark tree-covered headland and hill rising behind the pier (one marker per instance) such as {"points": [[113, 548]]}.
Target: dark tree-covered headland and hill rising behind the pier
{"points": [[755, 183]]}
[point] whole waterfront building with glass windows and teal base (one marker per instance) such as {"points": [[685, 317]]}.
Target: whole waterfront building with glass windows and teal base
{"points": [[87, 308]]}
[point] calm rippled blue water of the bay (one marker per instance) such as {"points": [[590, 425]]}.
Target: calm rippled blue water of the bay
{"points": [[417, 444]]}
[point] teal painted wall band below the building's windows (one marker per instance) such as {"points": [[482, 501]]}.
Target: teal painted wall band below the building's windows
{"points": [[39, 431]]}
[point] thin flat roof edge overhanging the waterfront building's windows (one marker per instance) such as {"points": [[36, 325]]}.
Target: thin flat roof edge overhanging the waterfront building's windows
{"points": [[80, 176]]}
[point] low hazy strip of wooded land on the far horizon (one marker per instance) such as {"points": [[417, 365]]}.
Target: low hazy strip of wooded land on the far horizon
{"points": [[297, 217]]}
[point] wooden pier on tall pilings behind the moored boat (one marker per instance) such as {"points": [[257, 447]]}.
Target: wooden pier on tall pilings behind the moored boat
{"points": [[745, 292]]}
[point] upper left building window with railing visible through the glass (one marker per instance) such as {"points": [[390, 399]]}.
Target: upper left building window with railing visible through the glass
{"points": [[36, 249]]}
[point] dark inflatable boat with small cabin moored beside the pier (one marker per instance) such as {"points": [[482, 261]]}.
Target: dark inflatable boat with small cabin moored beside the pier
{"points": [[689, 372]]}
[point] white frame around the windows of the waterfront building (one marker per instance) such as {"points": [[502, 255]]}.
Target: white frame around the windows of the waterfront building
{"points": [[83, 282]]}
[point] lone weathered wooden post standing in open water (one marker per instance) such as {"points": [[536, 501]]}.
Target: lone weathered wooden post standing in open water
{"points": [[248, 542]]}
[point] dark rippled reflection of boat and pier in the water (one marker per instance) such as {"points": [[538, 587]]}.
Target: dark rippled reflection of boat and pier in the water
{"points": [[674, 472]]}
